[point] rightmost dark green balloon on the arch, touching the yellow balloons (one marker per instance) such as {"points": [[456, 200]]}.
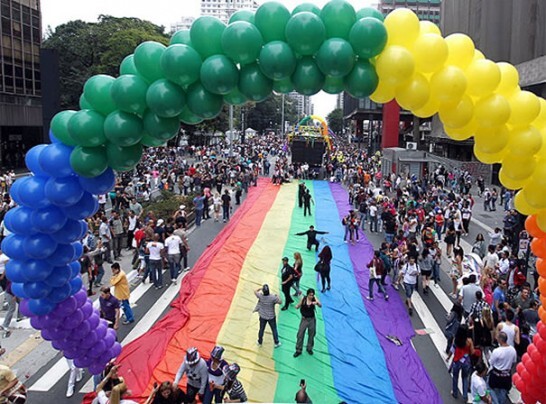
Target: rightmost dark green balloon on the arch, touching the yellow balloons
{"points": [[368, 37]]}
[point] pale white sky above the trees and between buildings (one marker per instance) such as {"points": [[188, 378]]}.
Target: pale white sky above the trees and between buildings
{"points": [[160, 12]]}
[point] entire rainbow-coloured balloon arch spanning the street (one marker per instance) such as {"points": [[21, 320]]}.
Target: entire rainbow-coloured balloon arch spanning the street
{"points": [[334, 49]]}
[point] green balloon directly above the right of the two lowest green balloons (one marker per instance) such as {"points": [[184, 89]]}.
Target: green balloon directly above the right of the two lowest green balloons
{"points": [[123, 128]]}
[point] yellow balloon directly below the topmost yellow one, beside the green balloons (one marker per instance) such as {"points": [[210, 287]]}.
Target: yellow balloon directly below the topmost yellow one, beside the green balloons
{"points": [[395, 65]]}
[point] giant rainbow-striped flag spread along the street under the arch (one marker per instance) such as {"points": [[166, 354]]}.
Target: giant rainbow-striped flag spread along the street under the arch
{"points": [[353, 360]]}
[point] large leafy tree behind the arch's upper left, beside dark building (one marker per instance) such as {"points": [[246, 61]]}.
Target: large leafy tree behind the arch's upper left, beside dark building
{"points": [[86, 49]]}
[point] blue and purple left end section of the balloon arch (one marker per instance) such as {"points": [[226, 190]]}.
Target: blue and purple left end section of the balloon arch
{"points": [[44, 249]]}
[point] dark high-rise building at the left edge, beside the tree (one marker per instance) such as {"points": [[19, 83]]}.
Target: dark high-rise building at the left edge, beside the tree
{"points": [[20, 80]]}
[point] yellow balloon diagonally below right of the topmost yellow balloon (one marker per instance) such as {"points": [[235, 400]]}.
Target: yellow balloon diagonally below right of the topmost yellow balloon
{"points": [[430, 53]]}
